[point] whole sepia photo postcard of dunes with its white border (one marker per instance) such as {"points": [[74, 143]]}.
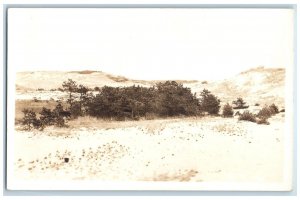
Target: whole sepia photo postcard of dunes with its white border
{"points": [[150, 99]]}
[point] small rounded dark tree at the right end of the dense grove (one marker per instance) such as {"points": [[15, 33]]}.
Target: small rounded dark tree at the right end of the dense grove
{"points": [[209, 102]]}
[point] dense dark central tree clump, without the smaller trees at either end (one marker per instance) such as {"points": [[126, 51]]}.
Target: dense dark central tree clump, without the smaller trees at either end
{"points": [[164, 99]]}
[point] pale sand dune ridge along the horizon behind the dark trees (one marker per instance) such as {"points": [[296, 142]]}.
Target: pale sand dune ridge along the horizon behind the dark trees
{"points": [[257, 85]]}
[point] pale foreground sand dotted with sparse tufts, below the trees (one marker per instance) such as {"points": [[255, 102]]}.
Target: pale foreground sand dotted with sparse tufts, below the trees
{"points": [[204, 149]]}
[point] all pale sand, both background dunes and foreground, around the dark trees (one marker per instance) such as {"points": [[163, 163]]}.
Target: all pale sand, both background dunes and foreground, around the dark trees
{"points": [[206, 149]]}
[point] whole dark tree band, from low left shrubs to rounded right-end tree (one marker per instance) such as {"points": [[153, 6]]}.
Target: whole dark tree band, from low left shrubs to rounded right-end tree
{"points": [[165, 99]]}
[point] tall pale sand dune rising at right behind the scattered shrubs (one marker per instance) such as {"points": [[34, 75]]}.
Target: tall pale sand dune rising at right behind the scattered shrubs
{"points": [[257, 85]]}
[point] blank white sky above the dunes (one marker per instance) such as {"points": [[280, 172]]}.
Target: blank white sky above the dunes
{"points": [[150, 43]]}
